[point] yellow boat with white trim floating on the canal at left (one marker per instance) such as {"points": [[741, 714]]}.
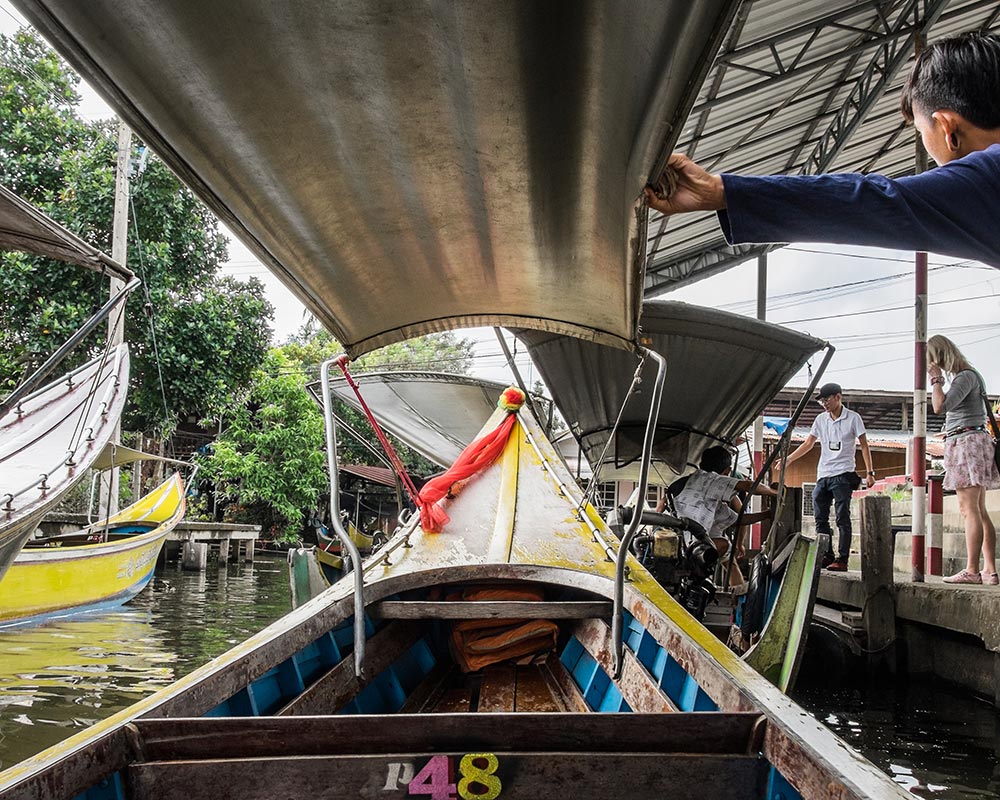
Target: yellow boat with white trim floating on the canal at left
{"points": [[103, 565]]}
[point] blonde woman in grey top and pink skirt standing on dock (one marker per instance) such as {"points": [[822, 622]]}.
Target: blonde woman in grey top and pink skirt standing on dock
{"points": [[968, 453]]}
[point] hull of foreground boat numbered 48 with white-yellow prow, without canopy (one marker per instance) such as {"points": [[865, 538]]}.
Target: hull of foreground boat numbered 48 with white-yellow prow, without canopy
{"points": [[286, 712]]}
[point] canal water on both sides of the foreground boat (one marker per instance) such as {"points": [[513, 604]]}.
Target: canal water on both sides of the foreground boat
{"points": [[60, 677]]}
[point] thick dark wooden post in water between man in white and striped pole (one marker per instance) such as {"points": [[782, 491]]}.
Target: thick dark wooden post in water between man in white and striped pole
{"points": [[879, 613]]}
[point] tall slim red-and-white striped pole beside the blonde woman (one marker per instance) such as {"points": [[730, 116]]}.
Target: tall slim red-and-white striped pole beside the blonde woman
{"points": [[919, 446]]}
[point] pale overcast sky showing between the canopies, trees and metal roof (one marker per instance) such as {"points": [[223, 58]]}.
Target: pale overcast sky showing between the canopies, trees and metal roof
{"points": [[860, 299]]}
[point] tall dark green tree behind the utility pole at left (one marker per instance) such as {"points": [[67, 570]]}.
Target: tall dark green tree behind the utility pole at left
{"points": [[200, 332]]}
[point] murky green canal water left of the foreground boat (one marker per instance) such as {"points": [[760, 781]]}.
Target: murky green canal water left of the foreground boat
{"points": [[63, 675]]}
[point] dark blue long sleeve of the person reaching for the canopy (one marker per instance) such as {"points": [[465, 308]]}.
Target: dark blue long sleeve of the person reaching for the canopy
{"points": [[952, 210]]}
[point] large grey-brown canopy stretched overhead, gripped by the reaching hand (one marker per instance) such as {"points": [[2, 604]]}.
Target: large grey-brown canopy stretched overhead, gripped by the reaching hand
{"points": [[407, 168]]}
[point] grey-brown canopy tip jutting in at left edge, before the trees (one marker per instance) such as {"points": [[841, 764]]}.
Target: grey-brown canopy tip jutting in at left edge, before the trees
{"points": [[24, 227]]}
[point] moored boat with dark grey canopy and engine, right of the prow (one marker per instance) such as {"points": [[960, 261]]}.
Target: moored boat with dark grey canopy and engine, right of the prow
{"points": [[723, 369]]}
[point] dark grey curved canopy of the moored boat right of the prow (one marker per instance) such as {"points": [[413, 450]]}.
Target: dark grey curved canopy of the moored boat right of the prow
{"points": [[722, 369]]}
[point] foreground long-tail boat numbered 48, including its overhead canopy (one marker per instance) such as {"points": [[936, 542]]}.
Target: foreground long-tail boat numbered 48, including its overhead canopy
{"points": [[410, 168]]}
